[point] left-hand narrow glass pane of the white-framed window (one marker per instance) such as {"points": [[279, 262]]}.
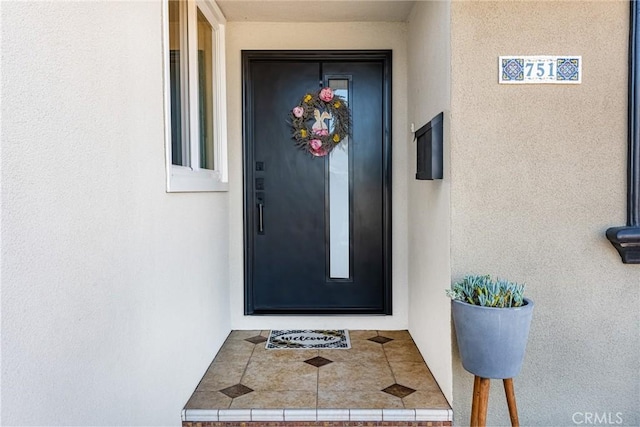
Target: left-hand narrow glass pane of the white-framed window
{"points": [[178, 82]]}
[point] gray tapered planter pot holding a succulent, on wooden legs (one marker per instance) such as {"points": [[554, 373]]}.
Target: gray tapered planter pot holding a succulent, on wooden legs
{"points": [[492, 341]]}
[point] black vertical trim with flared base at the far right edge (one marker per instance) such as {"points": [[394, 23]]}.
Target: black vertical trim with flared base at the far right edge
{"points": [[626, 239]]}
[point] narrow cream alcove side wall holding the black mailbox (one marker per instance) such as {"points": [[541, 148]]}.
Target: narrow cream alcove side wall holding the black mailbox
{"points": [[429, 82]]}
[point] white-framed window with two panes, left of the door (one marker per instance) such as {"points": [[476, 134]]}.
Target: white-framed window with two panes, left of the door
{"points": [[195, 109]]}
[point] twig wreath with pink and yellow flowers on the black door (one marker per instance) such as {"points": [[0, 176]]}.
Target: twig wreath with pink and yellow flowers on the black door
{"points": [[311, 119]]}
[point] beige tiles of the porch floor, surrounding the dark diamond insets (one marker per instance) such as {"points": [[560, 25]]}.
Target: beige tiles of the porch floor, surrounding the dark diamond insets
{"points": [[281, 380]]}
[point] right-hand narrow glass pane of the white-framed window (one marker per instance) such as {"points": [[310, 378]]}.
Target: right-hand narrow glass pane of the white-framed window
{"points": [[205, 90]]}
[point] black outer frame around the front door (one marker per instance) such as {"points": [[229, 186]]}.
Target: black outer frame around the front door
{"points": [[249, 56]]}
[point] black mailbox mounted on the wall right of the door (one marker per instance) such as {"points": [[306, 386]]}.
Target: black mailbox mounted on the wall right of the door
{"points": [[429, 140]]}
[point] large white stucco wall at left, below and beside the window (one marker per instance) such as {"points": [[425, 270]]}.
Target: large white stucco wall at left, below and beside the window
{"points": [[114, 293]]}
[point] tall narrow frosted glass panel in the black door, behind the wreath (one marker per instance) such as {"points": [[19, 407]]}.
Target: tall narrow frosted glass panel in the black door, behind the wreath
{"points": [[339, 216]]}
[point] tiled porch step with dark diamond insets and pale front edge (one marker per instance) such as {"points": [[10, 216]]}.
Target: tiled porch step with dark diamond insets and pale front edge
{"points": [[381, 378]]}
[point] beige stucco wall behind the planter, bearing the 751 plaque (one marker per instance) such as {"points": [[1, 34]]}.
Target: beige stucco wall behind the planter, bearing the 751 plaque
{"points": [[537, 175]]}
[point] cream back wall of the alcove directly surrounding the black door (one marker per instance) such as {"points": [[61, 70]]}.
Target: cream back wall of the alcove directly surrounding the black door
{"points": [[353, 35]]}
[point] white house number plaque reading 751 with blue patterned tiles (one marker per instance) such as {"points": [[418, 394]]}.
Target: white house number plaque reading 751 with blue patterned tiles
{"points": [[540, 69]]}
